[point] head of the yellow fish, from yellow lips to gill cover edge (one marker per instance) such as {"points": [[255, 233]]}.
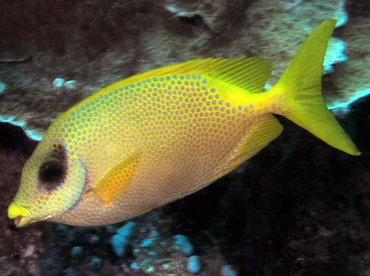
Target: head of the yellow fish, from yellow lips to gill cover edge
{"points": [[52, 182]]}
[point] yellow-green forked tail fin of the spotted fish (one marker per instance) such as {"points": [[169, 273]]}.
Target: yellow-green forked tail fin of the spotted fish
{"points": [[298, 92]]}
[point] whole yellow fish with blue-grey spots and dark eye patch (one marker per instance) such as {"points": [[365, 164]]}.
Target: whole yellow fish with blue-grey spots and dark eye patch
{"points": [[158, 136]]}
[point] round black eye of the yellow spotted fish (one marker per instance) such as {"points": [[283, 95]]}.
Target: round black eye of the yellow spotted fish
{"points": [[51, 173]]}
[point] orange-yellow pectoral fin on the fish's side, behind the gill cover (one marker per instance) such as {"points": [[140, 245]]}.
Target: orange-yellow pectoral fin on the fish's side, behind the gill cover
{"points": [[117, 180]]}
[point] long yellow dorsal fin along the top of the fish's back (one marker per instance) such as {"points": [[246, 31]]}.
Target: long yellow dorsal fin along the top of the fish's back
{"points": [[247, 73]]}
